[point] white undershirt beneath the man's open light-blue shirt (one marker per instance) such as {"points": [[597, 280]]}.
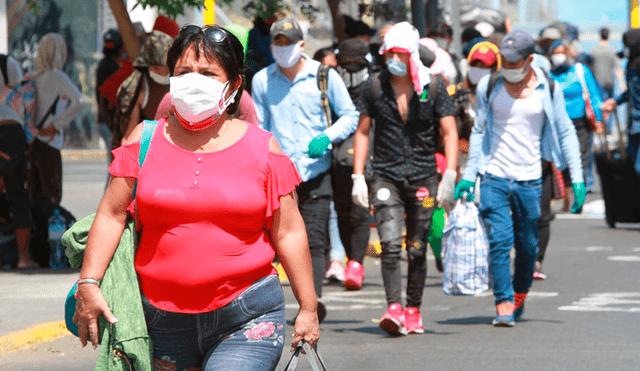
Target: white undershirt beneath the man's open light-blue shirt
{"points": [[517, 128]]}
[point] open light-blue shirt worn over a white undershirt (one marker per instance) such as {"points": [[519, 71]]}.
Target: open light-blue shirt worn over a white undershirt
{"points": [[559, 141]]}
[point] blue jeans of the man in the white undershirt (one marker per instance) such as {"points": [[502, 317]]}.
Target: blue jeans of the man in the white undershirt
{"points": [[511, 210]]}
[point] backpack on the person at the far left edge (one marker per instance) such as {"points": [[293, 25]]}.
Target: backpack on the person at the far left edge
{"points": [[21, 98]]}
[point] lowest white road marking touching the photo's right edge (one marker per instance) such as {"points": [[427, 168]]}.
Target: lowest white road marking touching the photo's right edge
{"points": [[606, 302]]}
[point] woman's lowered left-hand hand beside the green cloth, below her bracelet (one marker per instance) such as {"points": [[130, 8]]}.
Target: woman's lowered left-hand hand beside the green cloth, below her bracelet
{"points": [[90, 305]]}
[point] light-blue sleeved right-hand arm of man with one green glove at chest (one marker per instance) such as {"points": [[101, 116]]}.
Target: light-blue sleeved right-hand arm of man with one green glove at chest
{"points": [[343, 106]]}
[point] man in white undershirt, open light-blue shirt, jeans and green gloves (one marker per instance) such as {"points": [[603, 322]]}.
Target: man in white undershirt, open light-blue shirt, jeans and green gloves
{"points": [[519, 123]]}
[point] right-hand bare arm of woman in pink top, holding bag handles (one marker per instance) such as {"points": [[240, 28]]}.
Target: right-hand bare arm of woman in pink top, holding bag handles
{"points": [[289, 238]]}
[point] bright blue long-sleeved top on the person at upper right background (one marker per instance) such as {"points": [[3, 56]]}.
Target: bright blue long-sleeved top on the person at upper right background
{"points": [[572, 89]]}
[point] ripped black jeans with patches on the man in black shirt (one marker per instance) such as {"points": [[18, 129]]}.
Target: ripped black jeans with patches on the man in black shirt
{"points": [[391, 201]]}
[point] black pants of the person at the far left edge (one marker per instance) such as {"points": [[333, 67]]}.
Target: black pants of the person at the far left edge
{"points": [[13, 143]]}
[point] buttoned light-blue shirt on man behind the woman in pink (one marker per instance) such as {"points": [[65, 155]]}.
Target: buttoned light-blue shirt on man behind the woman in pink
{"points": [[291, 110]]}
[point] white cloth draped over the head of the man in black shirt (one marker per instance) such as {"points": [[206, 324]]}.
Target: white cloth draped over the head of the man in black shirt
{"points": [[404, 36]]}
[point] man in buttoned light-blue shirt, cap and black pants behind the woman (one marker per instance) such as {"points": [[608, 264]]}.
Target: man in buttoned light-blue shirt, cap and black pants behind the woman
{"points": [[288, 104]]}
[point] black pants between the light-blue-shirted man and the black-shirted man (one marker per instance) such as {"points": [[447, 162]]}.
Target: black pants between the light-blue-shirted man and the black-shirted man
{"points": [[354, 222]]}
